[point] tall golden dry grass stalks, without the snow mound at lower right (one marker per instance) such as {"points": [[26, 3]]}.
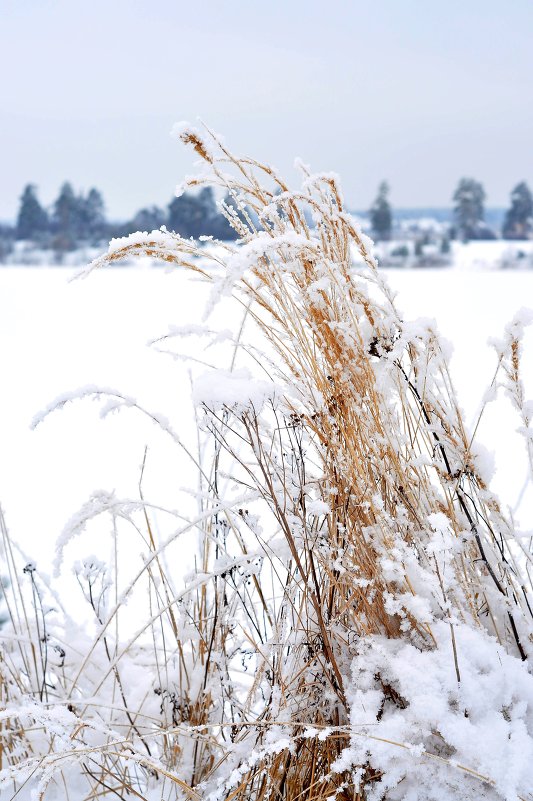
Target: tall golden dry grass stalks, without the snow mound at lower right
{"points": [[364, 464]]}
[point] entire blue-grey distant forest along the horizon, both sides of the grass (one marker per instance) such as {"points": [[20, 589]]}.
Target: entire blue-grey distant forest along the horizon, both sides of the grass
{"points": [[78, 219]]}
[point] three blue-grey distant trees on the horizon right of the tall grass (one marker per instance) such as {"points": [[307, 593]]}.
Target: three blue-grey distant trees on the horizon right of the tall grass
{"points": [[468, 213]]}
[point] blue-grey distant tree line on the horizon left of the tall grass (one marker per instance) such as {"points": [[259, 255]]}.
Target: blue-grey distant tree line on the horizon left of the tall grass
{"points": [[76, 219]]}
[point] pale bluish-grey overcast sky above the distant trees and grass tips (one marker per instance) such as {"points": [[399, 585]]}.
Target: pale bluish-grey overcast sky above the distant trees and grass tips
{"points": [[417, 92]]}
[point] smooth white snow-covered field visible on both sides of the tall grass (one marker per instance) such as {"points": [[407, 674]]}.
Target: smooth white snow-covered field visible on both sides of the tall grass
{"points": [[58, 336]]}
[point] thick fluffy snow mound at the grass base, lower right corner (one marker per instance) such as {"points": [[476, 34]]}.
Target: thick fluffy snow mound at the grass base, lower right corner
{"points": [[440, 731]]}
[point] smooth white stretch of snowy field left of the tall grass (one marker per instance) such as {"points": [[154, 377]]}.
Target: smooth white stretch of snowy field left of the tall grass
{"points": [[58, 336]]}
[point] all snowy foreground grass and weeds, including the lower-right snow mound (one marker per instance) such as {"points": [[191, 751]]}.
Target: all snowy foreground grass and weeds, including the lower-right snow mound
{"points": [[358, 624]]}
